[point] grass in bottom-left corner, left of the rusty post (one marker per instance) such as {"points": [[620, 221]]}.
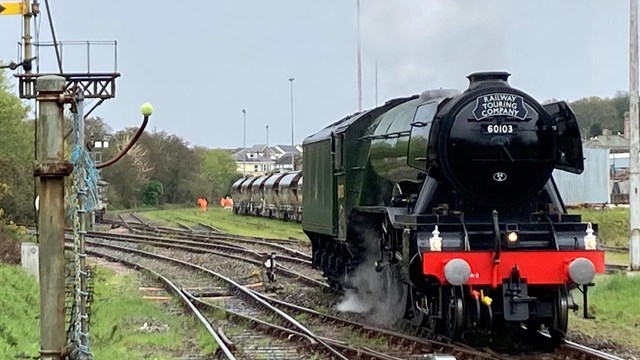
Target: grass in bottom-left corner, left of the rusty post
{"points": [[20, 310]]}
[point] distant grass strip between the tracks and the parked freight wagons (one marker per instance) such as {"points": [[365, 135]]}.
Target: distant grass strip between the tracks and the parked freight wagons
{"points": [[226, 220]]}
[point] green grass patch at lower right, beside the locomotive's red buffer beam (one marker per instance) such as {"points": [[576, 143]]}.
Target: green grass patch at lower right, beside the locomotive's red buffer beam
{"points": [[614, 303]]}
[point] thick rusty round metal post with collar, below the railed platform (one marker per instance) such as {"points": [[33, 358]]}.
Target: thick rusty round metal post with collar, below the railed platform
{"points": [[51, 169]]}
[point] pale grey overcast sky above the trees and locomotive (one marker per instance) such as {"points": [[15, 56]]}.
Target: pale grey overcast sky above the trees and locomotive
{"points": [[201, 62]]}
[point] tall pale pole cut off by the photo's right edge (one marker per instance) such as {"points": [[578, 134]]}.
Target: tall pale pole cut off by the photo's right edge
{"points": [[634, 149]]}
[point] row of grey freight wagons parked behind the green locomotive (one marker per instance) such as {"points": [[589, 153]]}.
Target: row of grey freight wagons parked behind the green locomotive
{"points": [[275, 195]]}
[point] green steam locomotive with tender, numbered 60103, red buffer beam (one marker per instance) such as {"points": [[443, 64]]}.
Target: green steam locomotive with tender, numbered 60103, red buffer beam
{"points": [[449, 196]]}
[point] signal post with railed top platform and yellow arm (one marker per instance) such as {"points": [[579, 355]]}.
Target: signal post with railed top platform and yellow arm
{"points": [[53, 91]]}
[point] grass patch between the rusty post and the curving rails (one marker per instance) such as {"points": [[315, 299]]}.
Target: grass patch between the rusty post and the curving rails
{"points": [[119, 312]]}
